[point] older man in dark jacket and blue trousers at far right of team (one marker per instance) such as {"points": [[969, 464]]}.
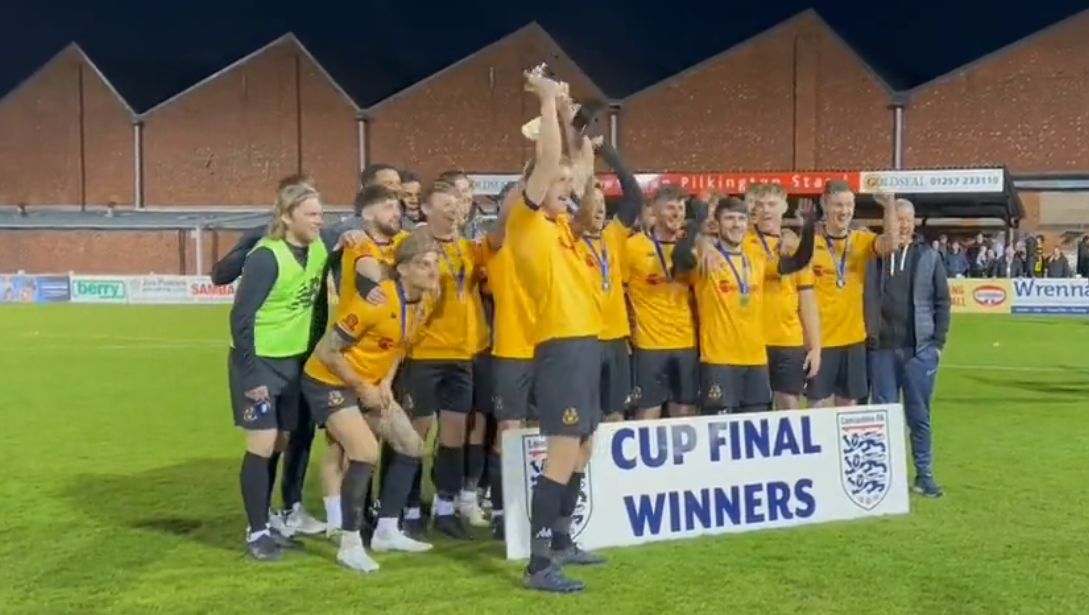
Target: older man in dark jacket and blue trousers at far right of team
{"points": [[910, 318]]}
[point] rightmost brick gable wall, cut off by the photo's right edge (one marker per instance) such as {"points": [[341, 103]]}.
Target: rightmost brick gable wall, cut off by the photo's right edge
{"points": [[1026, 107]]}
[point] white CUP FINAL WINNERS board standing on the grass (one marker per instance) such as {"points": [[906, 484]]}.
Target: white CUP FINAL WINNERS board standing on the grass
{"points": [[682, 478]]}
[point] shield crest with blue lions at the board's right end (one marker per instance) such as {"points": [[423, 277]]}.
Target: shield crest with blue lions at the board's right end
{"points": [[865, 460]]}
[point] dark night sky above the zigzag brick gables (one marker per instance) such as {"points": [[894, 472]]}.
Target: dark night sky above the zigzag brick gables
{"points": [[154, 50]]}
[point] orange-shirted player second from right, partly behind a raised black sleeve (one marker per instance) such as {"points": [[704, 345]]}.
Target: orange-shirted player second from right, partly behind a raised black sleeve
{"points": [[791, 318]]}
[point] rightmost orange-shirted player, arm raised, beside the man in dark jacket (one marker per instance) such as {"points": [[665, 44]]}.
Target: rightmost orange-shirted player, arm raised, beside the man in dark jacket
{"points": [[841, 259]]}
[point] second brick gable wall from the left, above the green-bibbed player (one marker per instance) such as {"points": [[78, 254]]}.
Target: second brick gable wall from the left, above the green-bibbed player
{"points": [[231, 140]]}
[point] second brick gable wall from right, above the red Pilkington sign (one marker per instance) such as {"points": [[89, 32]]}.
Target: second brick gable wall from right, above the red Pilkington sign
{"points": [[796, 97]]}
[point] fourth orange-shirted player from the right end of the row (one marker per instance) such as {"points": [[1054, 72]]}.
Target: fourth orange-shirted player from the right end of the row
{"points": [[665, 353]]}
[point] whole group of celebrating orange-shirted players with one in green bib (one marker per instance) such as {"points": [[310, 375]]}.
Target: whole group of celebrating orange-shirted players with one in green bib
{"points": [[560, 316]]}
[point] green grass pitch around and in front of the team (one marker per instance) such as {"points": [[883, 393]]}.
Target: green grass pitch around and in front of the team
{"points": [[119, 495]]}
